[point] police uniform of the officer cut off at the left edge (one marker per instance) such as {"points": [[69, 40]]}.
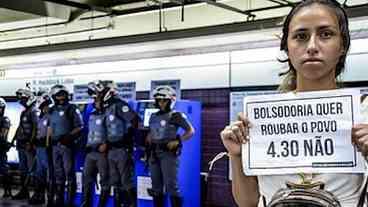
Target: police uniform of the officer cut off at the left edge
{"points": [[4, 125]]}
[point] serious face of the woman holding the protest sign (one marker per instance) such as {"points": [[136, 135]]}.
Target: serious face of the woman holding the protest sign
{"points": [[314, 44]]}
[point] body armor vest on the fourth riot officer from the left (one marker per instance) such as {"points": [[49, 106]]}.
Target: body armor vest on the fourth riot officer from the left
{"points": [[59, 122]]}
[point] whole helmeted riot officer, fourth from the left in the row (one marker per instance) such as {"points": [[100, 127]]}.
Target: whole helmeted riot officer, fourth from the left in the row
{"points": [[64, 127]]}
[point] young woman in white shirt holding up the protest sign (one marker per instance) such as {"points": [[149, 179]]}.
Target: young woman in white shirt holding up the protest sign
{"points": [[316, 40]]}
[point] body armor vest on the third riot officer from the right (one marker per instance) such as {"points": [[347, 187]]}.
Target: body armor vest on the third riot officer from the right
{"points": [[97, 132]]}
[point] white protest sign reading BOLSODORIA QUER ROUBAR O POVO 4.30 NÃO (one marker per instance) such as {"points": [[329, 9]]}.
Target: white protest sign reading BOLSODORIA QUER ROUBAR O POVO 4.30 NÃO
{"points": [[302, 132]]}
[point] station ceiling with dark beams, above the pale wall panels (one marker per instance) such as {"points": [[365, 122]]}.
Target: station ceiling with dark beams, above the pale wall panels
{"points": [[40, 23]]}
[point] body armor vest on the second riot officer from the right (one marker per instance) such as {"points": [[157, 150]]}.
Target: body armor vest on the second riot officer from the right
{"points": [[116, 126]]}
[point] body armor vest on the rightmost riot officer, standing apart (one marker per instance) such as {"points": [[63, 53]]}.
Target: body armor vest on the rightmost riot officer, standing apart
{"points": [[161, 127]]}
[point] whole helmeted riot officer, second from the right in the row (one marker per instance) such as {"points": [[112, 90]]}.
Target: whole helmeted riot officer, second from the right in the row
{"points": [[120, 123]]}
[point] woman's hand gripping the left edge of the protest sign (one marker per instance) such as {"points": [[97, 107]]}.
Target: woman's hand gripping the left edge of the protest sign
{"points": [[236, 134]]}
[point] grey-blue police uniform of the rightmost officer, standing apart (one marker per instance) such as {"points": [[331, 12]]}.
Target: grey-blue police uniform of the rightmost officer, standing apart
{"points": [[164, 163]]}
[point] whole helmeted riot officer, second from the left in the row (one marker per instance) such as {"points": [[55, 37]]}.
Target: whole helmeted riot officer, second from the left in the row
{"points": [[25, 136]]}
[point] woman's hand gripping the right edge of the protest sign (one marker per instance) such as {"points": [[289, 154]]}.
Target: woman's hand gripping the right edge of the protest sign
{"points": [[359, 136]]}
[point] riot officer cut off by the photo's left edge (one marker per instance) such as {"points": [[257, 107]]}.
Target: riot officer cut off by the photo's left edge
{"points": [[4, 148]]}
